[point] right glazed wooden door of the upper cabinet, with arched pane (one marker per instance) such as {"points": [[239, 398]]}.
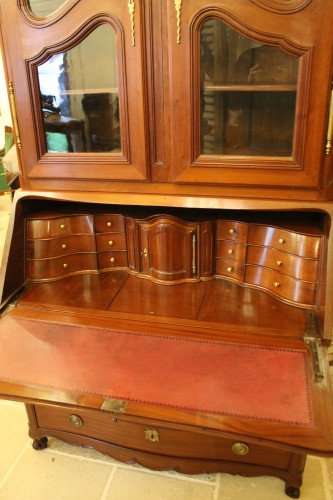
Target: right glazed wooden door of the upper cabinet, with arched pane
{"points": [[246, 80]]}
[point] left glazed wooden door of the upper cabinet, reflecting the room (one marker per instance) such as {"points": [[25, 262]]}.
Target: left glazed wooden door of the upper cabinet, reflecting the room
{"points": [[76, 70]]}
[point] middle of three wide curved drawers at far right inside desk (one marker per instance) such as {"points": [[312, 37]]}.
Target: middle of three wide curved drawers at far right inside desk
{"points": [[291, 265]]}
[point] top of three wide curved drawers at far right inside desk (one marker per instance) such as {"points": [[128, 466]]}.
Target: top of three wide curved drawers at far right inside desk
{"points": [[286, 241]]}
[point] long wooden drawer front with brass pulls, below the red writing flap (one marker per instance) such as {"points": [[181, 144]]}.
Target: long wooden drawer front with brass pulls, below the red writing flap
{"points": [[158, 439]]}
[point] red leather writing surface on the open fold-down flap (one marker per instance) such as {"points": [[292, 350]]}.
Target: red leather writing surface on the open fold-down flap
{"points": [[207, 376]]}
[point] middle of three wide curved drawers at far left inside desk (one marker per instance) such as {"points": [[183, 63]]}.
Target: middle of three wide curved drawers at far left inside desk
{"points": [[43, 249]]}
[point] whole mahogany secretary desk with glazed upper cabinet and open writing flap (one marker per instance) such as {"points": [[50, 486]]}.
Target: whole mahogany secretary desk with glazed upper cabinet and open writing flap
{"points": [[167, 276]]}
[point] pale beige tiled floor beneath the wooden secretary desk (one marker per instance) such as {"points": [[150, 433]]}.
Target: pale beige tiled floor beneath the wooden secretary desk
{"points": [[63, 472]]}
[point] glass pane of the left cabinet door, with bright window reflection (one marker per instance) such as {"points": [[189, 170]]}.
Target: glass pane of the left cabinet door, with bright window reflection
{"points": [[79, 96]]}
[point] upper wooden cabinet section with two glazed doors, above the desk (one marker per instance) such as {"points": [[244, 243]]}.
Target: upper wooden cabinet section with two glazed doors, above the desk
{"points": [[222, 96]]}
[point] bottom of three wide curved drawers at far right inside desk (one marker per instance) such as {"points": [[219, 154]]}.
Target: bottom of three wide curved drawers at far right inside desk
{"points": [[301, 292]]}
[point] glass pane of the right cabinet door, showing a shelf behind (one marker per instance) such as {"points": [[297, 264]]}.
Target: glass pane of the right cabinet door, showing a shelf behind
{"points": [[247, 94]]}
